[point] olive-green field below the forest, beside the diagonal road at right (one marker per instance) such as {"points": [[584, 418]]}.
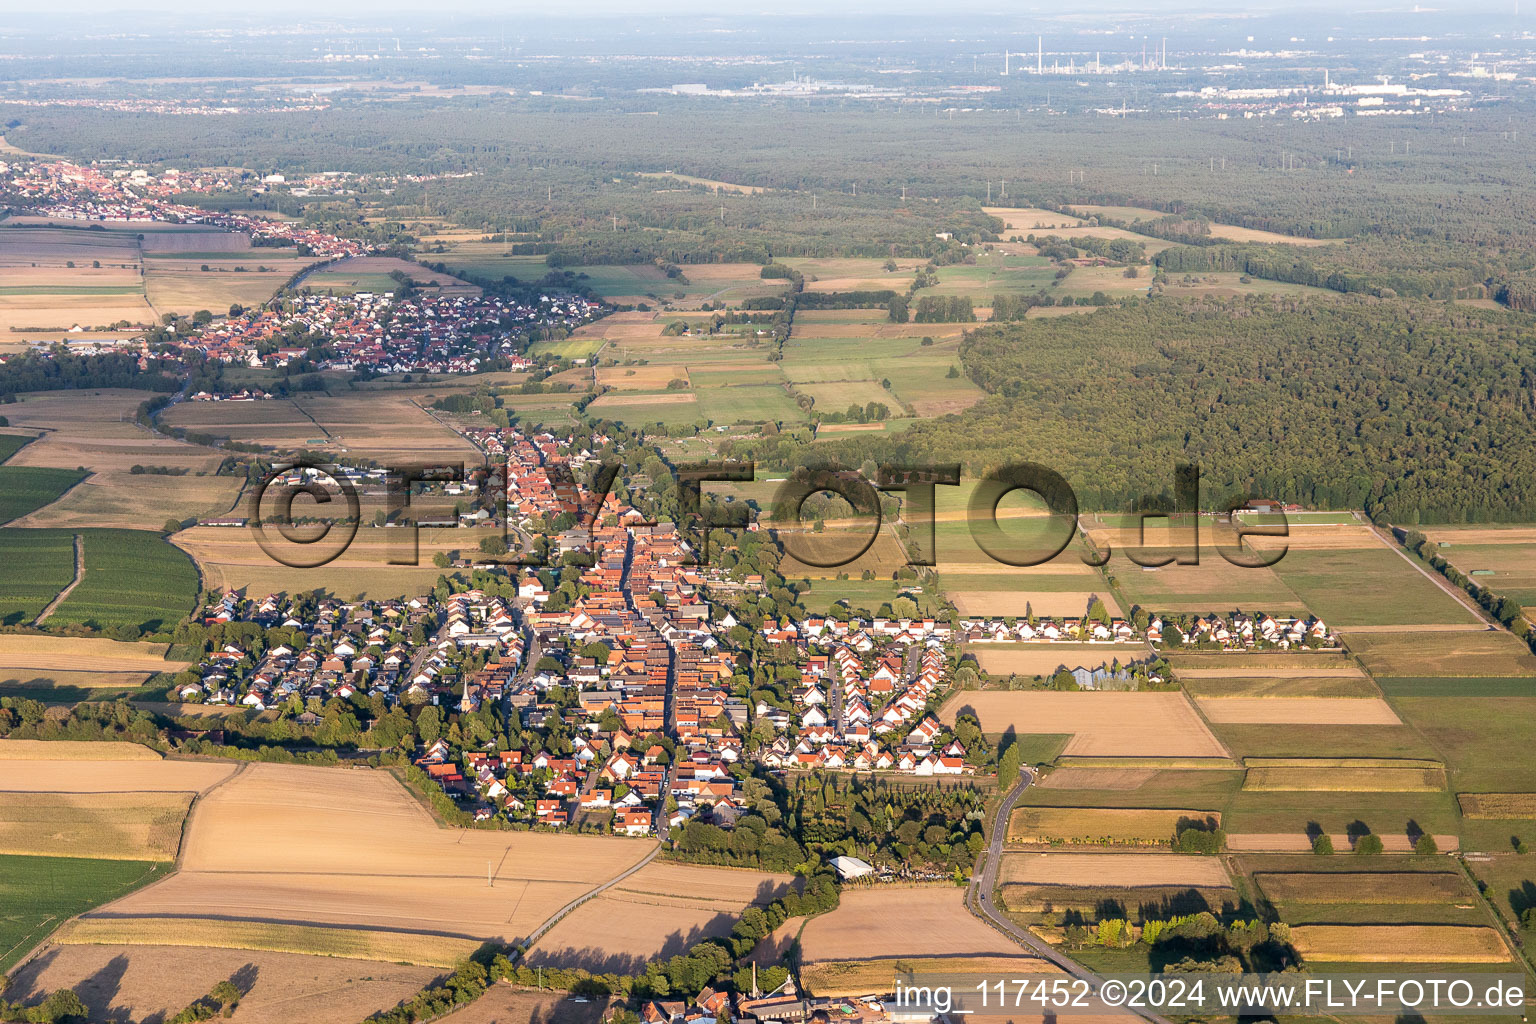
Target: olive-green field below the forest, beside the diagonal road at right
{"points": [[1366, 587]]}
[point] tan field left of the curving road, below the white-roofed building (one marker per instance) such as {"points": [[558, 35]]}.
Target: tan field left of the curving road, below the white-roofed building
{"points": [[933, 923]]}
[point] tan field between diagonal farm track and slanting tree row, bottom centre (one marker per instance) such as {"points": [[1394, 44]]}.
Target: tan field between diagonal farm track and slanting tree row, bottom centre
{"points": [[660, 911]]}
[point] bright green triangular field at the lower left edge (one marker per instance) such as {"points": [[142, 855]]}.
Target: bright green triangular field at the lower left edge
{"points": [[38, 894]]}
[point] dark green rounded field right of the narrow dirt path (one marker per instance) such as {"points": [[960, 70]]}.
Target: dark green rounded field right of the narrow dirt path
{"points": [[133, 578]]}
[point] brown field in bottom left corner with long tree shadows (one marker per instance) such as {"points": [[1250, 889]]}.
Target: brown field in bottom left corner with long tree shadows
{"points": [[145, 983]]}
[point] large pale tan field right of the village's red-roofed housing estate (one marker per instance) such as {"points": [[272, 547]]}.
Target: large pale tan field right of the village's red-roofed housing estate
{"points": [[1102, 725]]}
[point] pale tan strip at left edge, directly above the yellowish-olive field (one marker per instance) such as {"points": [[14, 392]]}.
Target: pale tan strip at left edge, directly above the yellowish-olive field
{"points": [[74, 775]]}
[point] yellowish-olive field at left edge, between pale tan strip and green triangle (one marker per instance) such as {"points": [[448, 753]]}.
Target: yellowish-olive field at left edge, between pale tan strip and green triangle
{"points": [[111, 827]]}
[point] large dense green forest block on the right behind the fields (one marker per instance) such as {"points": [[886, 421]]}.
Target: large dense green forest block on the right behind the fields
{"points": [[1412, 411]]}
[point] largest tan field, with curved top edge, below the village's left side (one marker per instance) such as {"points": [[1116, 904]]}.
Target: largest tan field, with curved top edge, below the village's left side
{"points": [[353, 848]]}
